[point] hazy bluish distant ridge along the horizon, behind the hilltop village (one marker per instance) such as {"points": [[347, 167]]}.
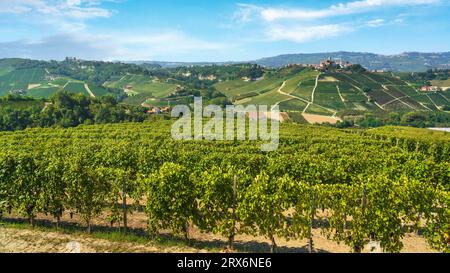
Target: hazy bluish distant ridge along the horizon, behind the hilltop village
{"points": [[404, 62]]}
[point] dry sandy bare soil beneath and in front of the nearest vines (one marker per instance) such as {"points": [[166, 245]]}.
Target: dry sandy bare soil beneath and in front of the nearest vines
{"points": [[43, 239]]}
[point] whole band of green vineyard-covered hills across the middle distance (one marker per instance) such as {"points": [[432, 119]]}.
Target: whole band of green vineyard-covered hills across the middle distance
{"points": [[299, 90]]}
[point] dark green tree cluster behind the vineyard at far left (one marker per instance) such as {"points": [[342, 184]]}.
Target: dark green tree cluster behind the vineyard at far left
{"points": [[66, 110]]}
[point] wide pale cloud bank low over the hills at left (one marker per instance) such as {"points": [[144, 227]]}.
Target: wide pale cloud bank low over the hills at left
{"points": [[111, 46]]}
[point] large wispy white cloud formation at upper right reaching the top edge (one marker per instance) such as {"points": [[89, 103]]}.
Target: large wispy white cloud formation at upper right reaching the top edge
{"points": [[301, 25]]}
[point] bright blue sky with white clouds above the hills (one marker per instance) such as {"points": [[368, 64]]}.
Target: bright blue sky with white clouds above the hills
{"points": [[219, 30]]}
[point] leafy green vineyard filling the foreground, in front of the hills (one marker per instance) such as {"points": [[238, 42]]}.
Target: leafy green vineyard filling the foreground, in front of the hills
{"points": [[356, 186]]}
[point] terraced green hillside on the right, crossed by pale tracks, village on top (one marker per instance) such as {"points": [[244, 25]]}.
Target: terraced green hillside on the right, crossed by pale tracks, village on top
{"points": [[318, 93]]}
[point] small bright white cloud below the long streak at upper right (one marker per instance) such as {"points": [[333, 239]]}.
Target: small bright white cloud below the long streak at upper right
{"points": [[302, 34]]}
